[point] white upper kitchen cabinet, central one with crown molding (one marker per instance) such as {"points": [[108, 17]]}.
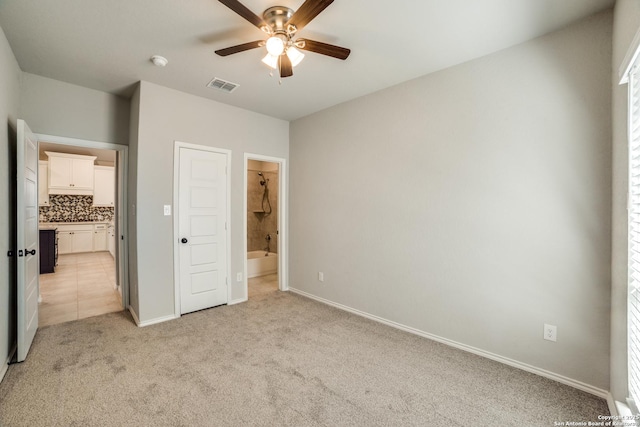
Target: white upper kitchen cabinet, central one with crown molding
{"points": [[70, 174]]}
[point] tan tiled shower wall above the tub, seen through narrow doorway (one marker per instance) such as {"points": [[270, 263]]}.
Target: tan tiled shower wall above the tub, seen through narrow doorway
{"points": [[260, 224]]}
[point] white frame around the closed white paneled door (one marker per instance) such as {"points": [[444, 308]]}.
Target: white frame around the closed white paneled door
{"points": [[176, 225]]}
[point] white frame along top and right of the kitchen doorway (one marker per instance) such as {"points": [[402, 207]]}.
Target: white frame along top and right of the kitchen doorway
{"points": [[122, 163]]}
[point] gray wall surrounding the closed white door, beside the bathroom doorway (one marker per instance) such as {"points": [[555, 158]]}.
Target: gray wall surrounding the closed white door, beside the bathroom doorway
{"points": [[167, 116]]}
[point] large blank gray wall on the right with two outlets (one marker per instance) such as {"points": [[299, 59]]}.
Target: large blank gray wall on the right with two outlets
{"points": [[473, 203]]}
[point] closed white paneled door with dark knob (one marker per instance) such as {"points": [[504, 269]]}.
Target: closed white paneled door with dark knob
{"points": [[202, 218]]}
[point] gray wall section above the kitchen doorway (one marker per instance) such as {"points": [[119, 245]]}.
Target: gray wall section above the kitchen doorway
{"points": [[56, 108]]}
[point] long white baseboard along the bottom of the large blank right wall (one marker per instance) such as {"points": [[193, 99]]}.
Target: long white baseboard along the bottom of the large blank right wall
{"points": [[514, 363]]}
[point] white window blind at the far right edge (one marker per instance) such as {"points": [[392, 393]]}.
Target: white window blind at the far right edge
{"points": [[633, 320]]}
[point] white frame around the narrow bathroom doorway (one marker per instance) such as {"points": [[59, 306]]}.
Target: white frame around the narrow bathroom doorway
{"points": [[283, 277]]}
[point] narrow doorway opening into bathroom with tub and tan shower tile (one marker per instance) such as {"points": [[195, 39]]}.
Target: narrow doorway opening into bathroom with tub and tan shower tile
{"points": [[263, 225]]}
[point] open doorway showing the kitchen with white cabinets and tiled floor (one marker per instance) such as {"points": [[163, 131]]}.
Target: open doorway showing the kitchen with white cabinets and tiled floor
{"points": [[81, 265]]}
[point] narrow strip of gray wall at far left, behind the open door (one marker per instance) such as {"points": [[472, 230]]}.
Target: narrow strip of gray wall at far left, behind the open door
{"points": [[9, 106]]}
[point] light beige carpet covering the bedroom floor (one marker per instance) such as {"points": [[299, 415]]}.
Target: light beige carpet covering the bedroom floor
{"points": [[278, 360]]}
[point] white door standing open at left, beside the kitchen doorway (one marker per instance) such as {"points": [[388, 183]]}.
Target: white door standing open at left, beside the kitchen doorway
{"points": [[28, 258]]}
